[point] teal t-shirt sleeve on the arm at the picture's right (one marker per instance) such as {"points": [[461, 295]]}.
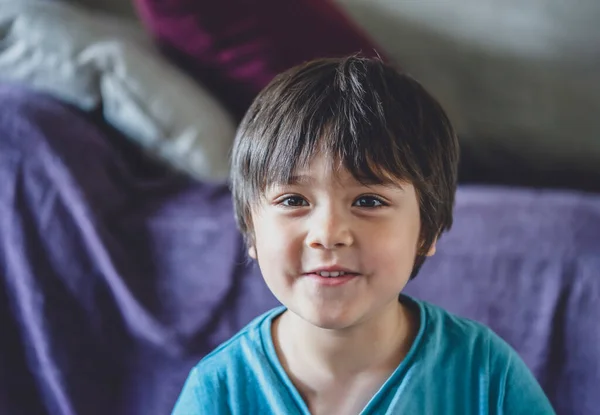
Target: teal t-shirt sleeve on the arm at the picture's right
{"points": [[518, 390]]}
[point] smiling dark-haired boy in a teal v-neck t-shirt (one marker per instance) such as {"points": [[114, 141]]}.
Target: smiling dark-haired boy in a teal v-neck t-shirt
{"points": [[343, 177]]}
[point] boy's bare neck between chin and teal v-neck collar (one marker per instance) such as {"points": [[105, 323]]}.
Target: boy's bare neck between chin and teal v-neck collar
{"points": [[377, 344]]}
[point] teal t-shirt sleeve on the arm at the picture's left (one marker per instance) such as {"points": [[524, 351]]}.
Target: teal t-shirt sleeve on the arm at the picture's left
{"points": [[200, 396]]}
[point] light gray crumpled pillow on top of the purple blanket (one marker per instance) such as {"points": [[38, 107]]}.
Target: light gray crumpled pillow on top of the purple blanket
{"points": [[92, 60]]}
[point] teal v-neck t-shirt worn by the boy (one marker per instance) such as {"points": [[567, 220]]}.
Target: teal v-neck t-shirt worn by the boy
{"points": [[455, 366]]}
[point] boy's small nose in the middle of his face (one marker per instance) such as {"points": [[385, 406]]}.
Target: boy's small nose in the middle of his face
{"points": [[329, 229]]}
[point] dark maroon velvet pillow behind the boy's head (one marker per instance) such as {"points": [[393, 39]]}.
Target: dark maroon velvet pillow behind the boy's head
{"points": [[235, 47]]}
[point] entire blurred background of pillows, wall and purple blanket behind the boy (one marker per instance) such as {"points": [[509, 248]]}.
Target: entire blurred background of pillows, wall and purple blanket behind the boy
{"points": [[120, 260]]}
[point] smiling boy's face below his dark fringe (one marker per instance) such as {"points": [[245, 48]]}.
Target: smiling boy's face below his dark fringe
{"points": [[327, 220]]}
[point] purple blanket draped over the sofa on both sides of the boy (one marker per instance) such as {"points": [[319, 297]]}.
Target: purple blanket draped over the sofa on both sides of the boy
{"points": [[118, 275]]}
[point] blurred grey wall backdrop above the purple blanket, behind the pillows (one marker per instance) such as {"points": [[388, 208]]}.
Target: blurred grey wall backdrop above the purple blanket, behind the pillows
{"points": [[520, 79]]}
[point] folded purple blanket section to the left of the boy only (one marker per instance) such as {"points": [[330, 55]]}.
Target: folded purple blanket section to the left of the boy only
{"points": [[116, 273]]}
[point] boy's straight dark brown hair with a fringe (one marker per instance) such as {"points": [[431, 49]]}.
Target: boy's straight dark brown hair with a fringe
{"points": [[360, 115]]}
